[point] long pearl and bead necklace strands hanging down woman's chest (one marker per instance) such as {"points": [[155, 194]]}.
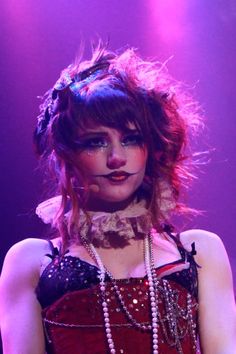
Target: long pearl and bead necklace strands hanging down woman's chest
{"points": [[152, 283]]}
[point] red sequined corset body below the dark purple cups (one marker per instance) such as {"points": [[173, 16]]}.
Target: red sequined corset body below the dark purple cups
{"points": [[74, 324]]}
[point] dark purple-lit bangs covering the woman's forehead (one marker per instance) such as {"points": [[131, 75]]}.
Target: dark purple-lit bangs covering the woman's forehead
{"points": [[109, 107]]}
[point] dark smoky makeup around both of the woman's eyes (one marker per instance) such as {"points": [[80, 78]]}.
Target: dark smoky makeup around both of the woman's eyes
{"points": [[96, 141]]}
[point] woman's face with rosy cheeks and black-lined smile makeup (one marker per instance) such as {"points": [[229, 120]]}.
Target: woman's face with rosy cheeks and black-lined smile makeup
{"points": [[112, 163]]}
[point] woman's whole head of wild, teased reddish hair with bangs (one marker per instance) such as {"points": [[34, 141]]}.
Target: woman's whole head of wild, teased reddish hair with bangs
{"points": [[115, 90]]}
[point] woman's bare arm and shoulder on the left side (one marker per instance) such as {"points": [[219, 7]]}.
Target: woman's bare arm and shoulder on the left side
{"points": [[20, 312]]}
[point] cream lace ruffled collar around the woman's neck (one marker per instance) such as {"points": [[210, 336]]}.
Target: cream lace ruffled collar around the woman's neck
{"points": [[97, 227]]}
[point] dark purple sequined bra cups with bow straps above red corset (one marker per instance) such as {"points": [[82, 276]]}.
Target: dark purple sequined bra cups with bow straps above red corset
{"points": [[66, 273]]}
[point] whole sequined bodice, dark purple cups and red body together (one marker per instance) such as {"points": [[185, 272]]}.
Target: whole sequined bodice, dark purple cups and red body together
{"points": [[69, 293]]}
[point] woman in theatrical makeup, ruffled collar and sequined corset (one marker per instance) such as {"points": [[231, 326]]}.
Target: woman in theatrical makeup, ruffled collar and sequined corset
{"points": [[116, 278]]}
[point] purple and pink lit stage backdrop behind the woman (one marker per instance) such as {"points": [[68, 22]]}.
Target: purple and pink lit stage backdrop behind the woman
{"points": [[39, 38]]}
